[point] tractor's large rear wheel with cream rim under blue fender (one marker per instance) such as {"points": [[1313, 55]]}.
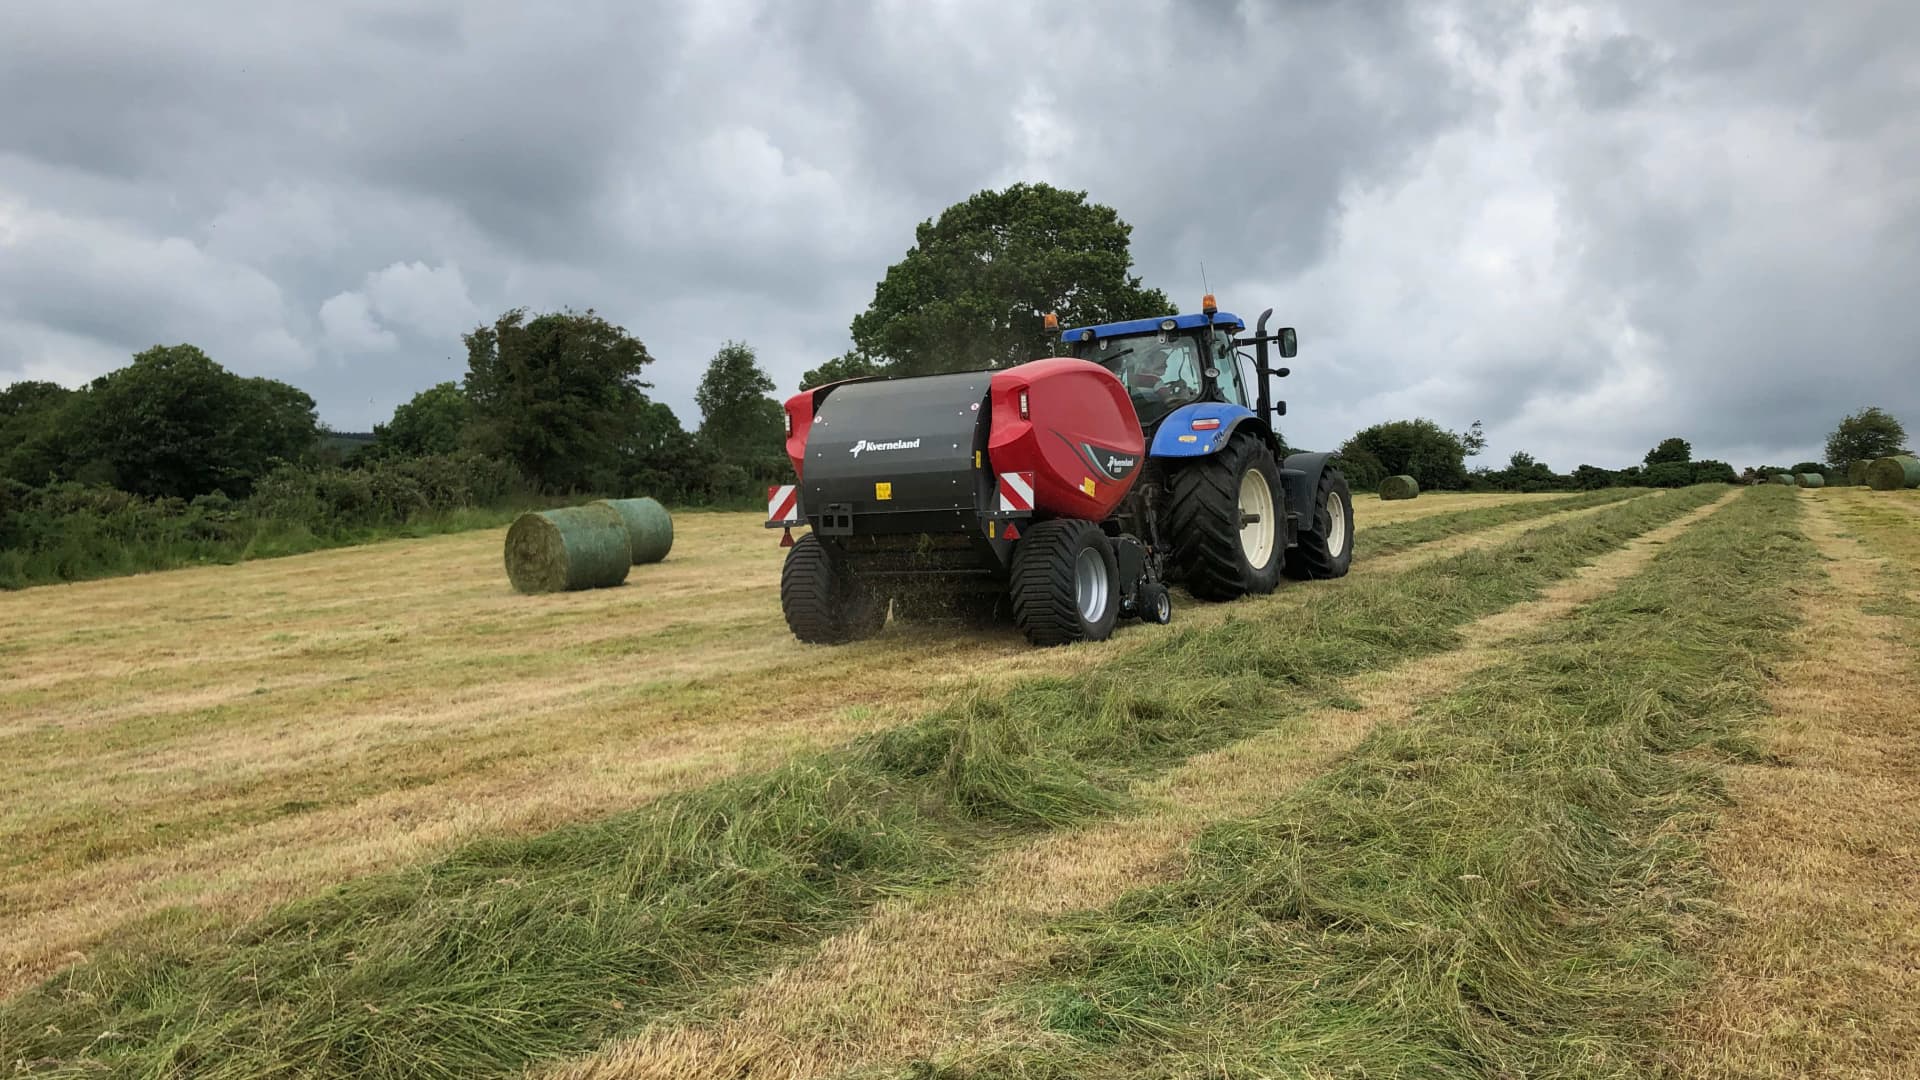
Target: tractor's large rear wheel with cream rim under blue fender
{"points": [[1207, 522]]}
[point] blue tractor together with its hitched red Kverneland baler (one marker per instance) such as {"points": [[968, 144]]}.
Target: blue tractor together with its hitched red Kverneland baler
{"points": [[1068, 491]]}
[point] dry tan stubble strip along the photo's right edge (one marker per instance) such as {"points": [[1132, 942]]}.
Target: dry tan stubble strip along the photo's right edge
{"points": [[1821, 854]]}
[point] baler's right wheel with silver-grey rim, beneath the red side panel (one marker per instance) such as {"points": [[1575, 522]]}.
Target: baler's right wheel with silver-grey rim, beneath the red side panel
{"points": [[1047, 583]]}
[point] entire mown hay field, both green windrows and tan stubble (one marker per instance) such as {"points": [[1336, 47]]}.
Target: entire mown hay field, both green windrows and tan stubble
{"points": [[967, 856]]}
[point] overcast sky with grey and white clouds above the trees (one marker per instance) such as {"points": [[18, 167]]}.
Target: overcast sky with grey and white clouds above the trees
{"points": [[1589, 226]]}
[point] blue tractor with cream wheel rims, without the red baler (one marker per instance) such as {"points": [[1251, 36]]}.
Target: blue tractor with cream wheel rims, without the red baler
{"points": [[1237, 512]]}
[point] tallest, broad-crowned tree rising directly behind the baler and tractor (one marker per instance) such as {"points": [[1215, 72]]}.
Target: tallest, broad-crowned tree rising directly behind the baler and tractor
{"points": [[978, 282]]}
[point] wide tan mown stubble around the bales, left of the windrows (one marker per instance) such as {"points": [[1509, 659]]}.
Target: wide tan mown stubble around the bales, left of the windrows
{"points": [[235, 737]]}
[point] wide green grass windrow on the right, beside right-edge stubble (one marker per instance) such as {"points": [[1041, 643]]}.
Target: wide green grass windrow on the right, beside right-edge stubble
{"points": [[1491, 891]]}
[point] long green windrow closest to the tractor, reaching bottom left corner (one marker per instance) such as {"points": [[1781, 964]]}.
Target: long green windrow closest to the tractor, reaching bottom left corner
{"points": [[521, 950]]}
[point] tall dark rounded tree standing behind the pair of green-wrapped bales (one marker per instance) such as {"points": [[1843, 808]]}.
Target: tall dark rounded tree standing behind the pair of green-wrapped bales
{"points": [[560, 395]]}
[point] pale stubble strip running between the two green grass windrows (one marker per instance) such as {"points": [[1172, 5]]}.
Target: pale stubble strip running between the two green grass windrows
{"points": [[921, 971]]}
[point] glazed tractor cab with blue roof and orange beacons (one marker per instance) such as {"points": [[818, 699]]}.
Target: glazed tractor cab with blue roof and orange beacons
{"points": [[1168, 362]]}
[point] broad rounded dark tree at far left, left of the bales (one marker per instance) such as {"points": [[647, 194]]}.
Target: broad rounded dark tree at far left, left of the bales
{"points": [[176, 424]]}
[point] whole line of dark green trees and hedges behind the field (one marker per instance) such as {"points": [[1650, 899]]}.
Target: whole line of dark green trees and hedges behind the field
{"points": [[176, 458]]}
